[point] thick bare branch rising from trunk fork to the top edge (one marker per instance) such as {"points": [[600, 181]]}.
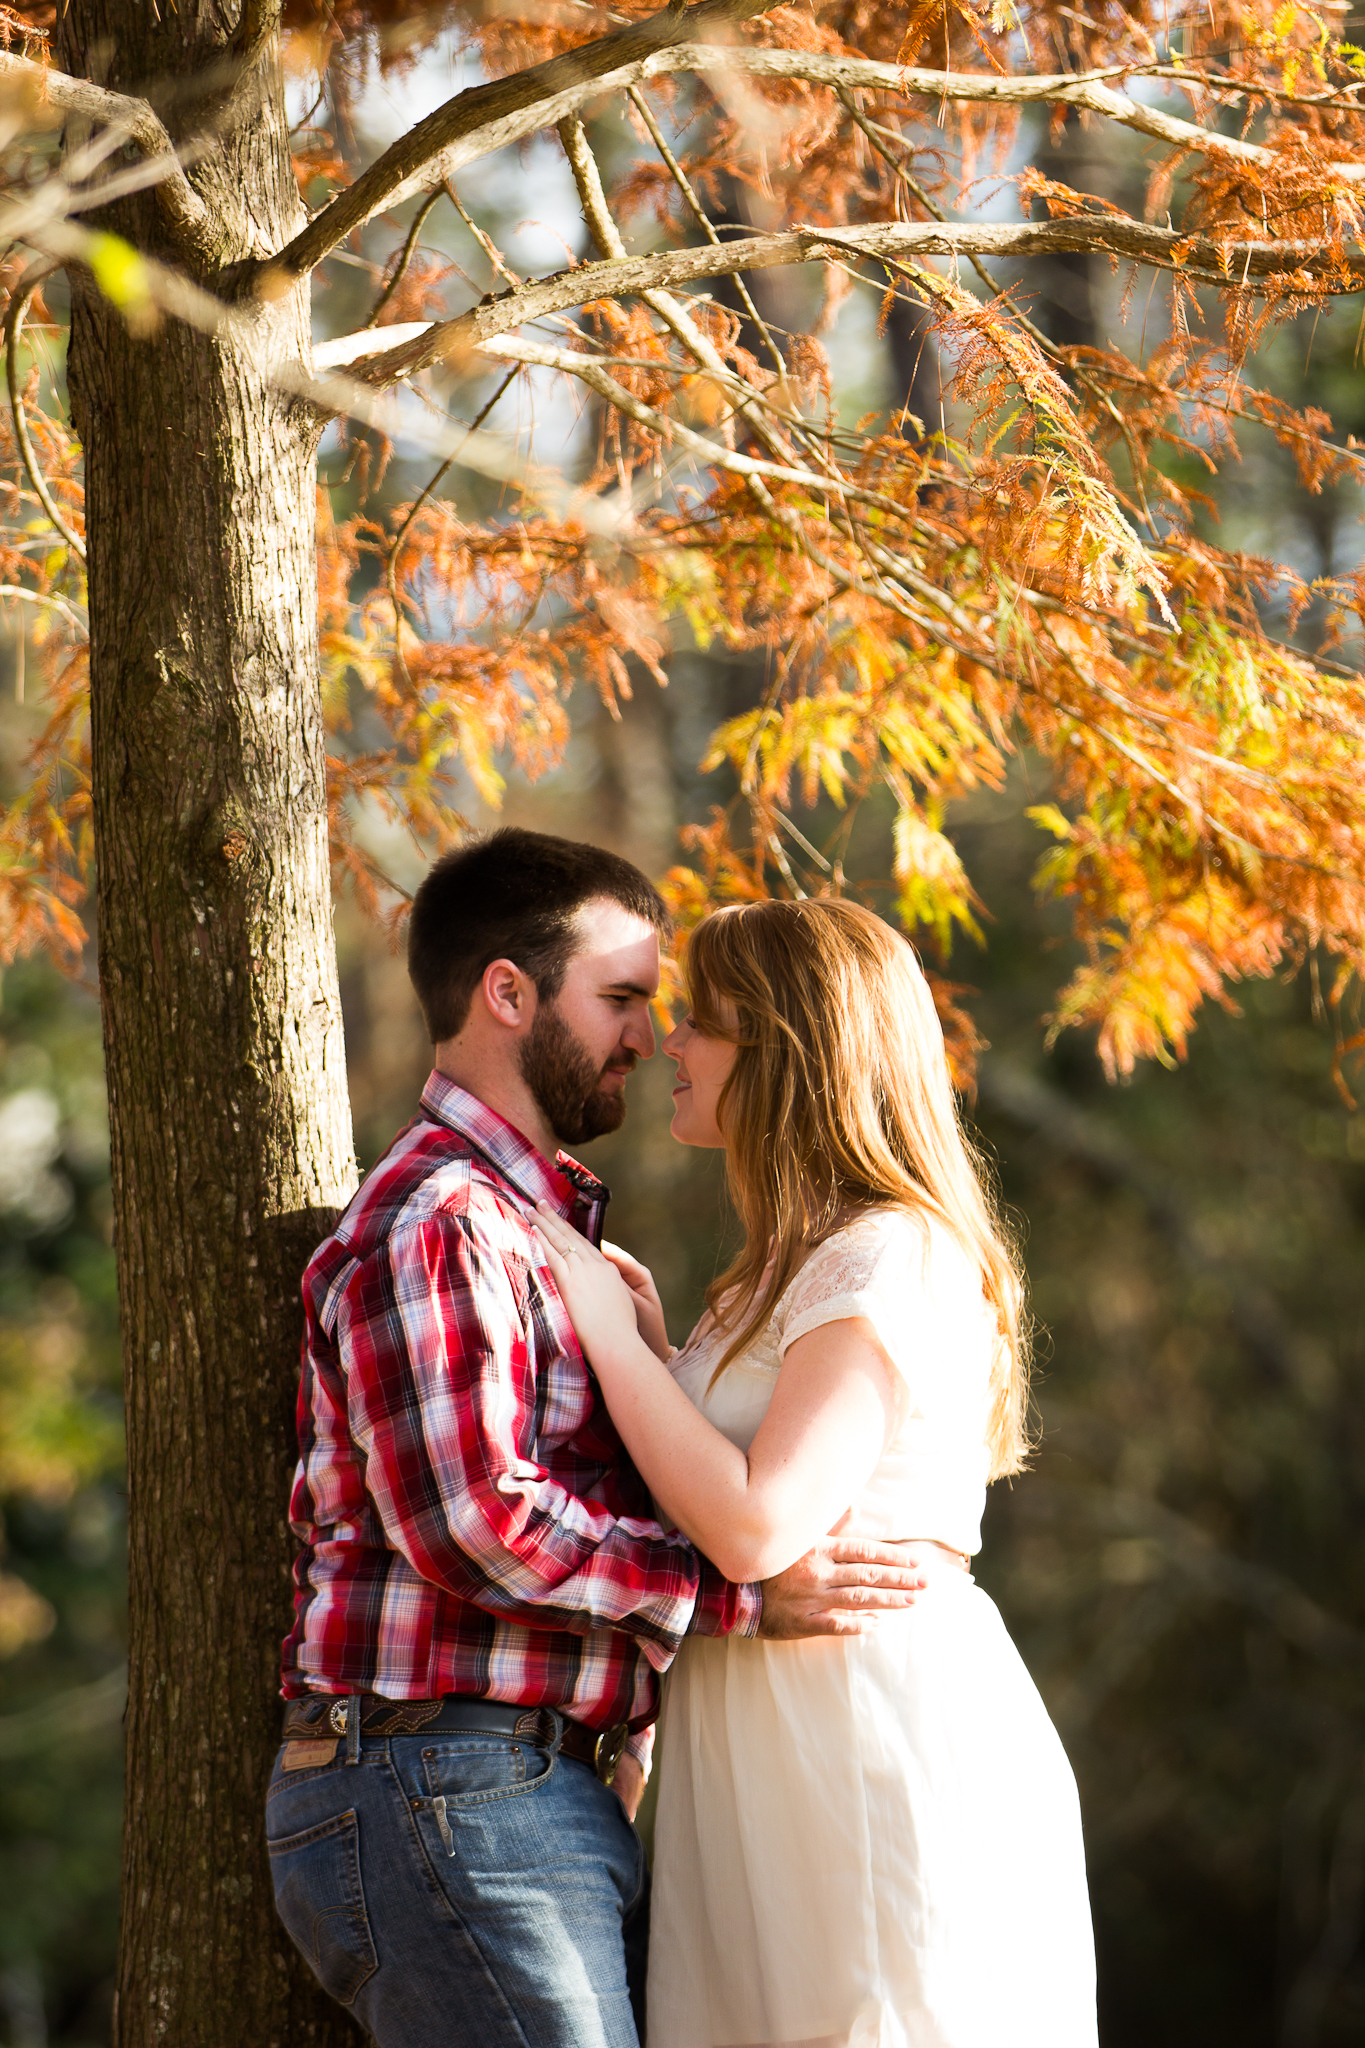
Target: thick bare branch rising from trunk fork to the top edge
{"points": [[488, 118]]}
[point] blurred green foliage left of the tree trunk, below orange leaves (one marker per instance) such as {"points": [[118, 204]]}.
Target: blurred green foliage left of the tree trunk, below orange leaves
{"points": [[62, 1506]]}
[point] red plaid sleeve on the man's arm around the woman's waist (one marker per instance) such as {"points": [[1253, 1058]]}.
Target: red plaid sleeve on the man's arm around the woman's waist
{"points": [[443, 1398]]}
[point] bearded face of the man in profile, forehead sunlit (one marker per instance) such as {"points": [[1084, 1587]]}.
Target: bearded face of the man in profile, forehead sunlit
{"points": [[584, 1043]]}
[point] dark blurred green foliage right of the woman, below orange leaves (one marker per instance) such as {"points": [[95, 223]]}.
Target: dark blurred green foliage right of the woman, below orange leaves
{"points": [[1184, 1570]]}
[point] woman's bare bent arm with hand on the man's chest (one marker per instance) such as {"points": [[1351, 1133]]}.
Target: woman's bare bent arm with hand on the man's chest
{"points": [[752, 1517]]}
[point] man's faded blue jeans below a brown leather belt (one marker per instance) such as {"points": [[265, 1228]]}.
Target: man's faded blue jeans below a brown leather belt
{"points": [[464, 1891]]}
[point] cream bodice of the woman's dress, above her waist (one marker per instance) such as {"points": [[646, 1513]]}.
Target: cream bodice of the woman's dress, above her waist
{"points": [[924, 1299]]}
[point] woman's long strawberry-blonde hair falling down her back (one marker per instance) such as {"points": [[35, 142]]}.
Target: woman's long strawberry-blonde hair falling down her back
{"points": [[840, 1099]]}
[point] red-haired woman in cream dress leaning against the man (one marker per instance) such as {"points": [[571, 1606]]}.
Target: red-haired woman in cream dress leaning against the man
{"points": [[865, 1842]]}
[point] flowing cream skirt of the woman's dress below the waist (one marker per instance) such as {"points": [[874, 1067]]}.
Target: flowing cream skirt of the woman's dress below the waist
{"points": [[869, 1842]]}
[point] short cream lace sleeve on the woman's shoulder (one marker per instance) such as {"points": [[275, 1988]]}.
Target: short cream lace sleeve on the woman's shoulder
{"points": [[873, 1269]]}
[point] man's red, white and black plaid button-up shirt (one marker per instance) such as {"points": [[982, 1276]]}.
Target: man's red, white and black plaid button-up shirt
{"points": [[468, 1512]]}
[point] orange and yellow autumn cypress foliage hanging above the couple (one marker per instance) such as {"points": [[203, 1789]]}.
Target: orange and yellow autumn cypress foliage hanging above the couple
{"points": [[1034, 572]]}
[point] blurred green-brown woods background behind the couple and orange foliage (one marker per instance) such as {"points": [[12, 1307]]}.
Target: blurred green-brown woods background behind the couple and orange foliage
{"points": [[1184, 1568]]}
